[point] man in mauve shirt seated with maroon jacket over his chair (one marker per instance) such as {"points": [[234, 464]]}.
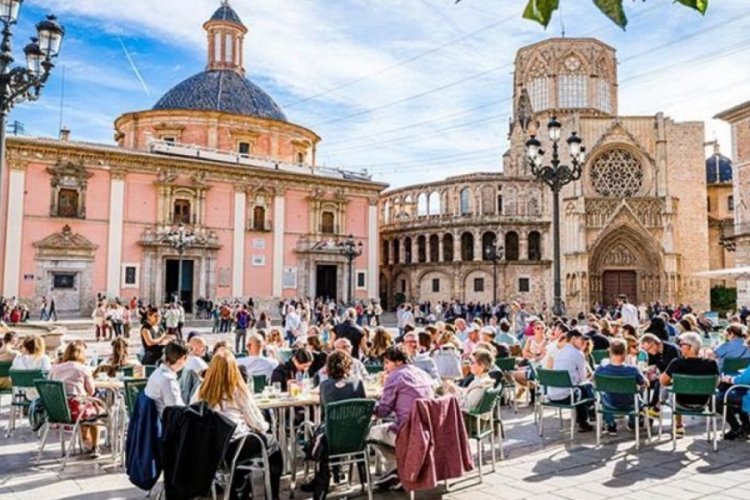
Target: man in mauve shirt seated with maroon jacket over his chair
{"points": [[404, 384]]}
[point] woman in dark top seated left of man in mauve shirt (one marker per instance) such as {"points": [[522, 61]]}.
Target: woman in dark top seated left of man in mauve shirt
{"points": [[340, 385]]}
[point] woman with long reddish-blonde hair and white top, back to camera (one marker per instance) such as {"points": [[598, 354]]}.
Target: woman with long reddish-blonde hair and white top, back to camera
{"points": [[225, 392]]}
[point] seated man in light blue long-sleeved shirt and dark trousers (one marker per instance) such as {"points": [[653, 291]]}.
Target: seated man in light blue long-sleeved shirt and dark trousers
{"points": [[571, 359]]}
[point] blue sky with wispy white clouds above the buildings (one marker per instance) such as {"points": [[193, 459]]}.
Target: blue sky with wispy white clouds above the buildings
{"points": [[415, 90]]}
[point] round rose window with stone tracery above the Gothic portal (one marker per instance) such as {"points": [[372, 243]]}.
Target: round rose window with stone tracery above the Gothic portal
{"points": [[617, 173]]}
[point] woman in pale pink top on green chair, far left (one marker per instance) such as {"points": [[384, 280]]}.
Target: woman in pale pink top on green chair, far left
{"points": [[79, 382]]}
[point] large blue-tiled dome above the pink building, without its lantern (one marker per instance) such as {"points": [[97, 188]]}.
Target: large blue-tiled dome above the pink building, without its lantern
{"points": [[221, 90]]}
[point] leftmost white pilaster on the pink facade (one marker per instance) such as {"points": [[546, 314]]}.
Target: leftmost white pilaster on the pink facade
{"points": [[14, 228]]}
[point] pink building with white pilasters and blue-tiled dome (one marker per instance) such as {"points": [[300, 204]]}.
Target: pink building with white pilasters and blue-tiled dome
{"points": [[215, 154]]}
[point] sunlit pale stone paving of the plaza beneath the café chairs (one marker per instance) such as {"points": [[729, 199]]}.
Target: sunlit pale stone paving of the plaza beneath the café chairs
{"points": [[533, 467]]}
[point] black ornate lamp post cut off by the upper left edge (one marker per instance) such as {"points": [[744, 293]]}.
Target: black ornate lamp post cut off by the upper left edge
{"points": [[18, 84]]}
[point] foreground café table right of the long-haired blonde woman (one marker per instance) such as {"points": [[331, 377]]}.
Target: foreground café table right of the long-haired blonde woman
{"points": [[285, 406]]}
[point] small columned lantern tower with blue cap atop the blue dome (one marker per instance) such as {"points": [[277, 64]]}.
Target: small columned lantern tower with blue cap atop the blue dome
{"points": [[226, 35]]}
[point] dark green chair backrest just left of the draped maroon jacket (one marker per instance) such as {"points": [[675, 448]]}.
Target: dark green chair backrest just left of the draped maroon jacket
{"points": [[347, 424]]}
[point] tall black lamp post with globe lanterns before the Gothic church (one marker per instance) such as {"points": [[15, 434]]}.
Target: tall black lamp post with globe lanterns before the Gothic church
{"points": [[556, 176]]}
